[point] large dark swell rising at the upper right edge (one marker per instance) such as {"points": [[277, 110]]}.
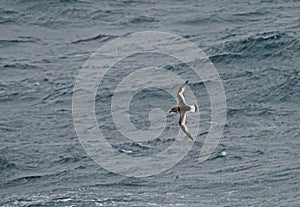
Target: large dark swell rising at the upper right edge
{"points": [[263, 46]]}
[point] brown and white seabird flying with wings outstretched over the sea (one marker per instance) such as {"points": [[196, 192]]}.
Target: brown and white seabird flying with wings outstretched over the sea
{"points": [[182, 108]]}
